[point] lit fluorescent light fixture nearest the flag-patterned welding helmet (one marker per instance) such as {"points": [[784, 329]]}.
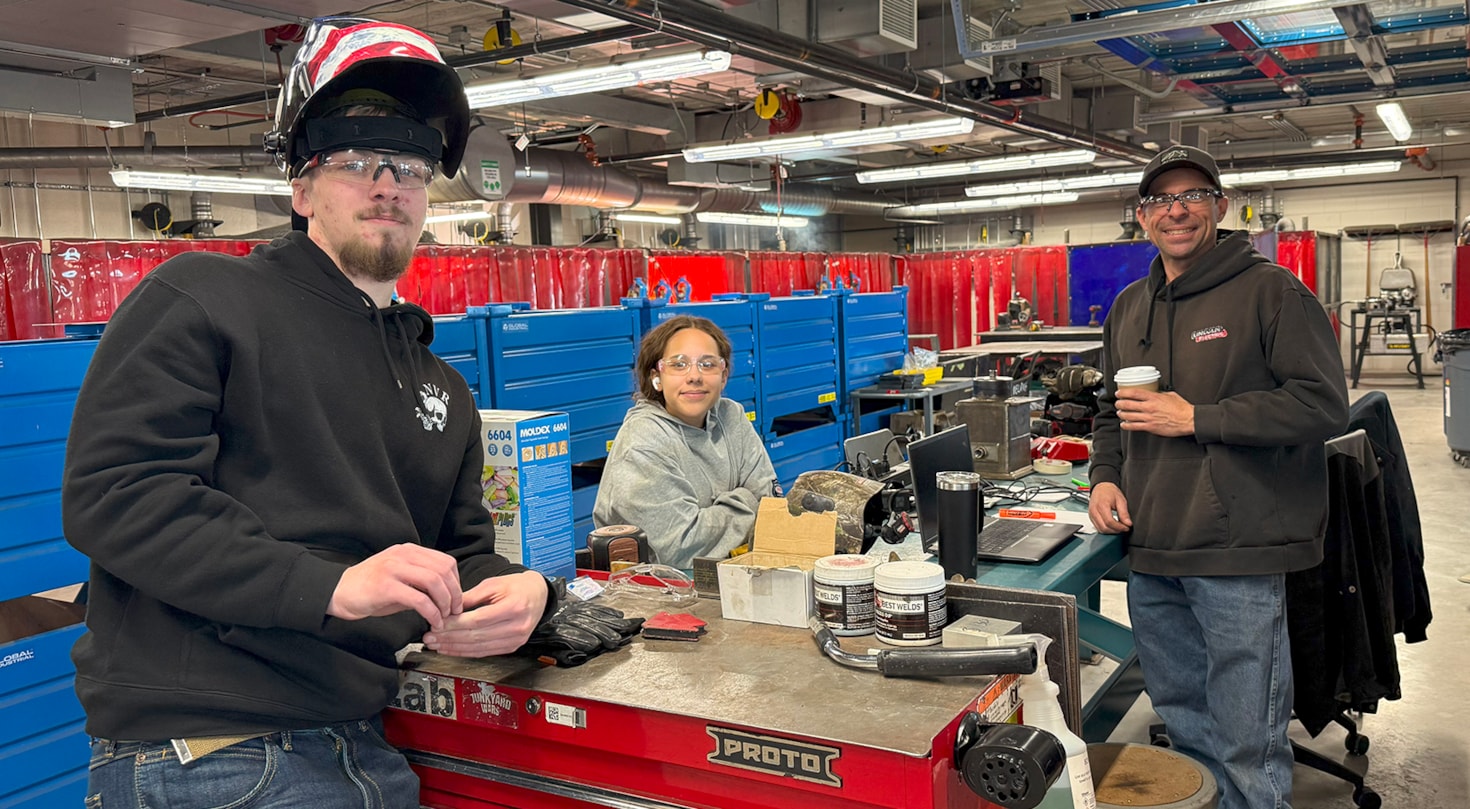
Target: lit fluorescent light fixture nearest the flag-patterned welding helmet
{"points": [[625, 73]]}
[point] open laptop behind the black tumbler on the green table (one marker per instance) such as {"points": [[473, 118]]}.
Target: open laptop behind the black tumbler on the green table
{"points": [[1000, 541]]}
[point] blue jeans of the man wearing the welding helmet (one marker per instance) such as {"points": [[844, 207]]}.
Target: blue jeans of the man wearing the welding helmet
{"points": [[339, 767]]}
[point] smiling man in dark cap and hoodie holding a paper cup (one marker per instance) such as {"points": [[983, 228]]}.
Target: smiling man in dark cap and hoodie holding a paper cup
{"points": [[1219, 479]]}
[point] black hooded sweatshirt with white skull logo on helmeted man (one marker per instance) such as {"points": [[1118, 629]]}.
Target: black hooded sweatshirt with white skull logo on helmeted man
{"points": [[249, 429]]}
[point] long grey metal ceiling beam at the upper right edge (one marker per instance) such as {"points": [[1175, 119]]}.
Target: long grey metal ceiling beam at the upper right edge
{"points": [[1149, 23]]}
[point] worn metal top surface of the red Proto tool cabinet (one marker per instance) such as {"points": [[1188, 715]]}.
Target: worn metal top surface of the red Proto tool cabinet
{"points": [[745, 674]]}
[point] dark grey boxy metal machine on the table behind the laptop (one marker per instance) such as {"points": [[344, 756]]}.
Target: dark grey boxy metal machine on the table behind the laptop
{"points": [[999, 417]]}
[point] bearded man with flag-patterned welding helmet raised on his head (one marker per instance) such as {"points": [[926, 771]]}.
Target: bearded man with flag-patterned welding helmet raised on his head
{"points": [[279, 483]]}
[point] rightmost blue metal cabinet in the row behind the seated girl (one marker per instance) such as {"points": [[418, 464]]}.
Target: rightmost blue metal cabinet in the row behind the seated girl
{"points": [[874, 333]]}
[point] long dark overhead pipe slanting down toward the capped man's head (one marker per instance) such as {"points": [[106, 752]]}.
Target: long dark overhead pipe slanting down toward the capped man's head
{"points": [[698, 23]]}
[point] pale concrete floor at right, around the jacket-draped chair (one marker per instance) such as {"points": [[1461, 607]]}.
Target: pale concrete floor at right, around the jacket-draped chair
{"points": [[1421, 745]]}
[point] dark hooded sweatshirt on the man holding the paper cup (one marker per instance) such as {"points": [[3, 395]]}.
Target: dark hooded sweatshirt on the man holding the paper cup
{"points": [[1255, 352]]}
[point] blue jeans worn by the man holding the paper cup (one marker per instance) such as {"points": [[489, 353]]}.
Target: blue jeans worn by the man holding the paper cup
{"points": [[1218, 669]]}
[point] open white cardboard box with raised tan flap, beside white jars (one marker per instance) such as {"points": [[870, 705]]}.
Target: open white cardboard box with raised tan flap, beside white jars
{"points": [[772, 585]]}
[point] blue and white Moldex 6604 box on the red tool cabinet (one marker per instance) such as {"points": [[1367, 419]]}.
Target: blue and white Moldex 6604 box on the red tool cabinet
{"points": [[528, 489]]}
